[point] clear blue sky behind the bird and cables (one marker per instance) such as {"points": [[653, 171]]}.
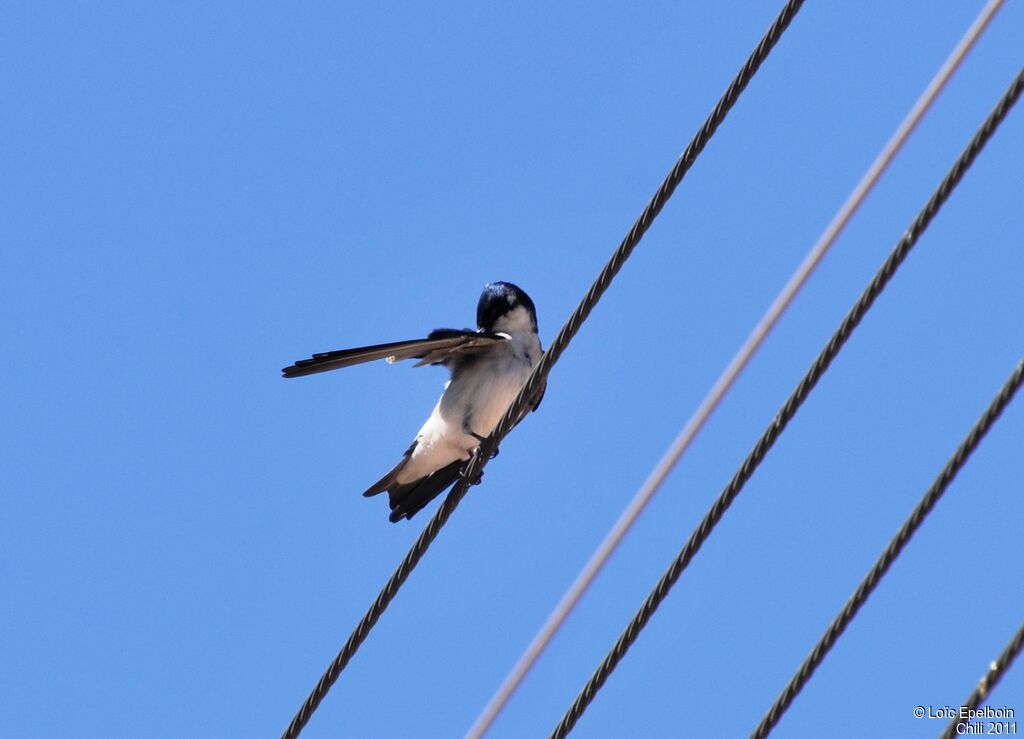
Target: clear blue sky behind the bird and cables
{"points": [[196, 196]]}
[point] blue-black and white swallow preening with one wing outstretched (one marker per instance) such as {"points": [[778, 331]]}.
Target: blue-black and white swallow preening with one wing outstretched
{"points": [[489, 367]]}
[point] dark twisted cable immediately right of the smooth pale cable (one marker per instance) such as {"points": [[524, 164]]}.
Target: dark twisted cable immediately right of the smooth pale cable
{"points": [[789, 410]]}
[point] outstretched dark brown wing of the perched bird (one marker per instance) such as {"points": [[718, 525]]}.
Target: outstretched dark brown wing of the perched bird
{"points": [[438, 349]]}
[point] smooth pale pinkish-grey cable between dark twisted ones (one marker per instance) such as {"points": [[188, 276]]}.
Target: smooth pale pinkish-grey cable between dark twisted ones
{"points": [[730, 376]]}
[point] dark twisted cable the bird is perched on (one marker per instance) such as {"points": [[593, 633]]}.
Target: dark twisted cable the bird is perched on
{"points": [[540, 374]]}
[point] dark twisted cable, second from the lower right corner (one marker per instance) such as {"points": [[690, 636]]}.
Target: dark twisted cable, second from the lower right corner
{"points": [[901, 541]]}
